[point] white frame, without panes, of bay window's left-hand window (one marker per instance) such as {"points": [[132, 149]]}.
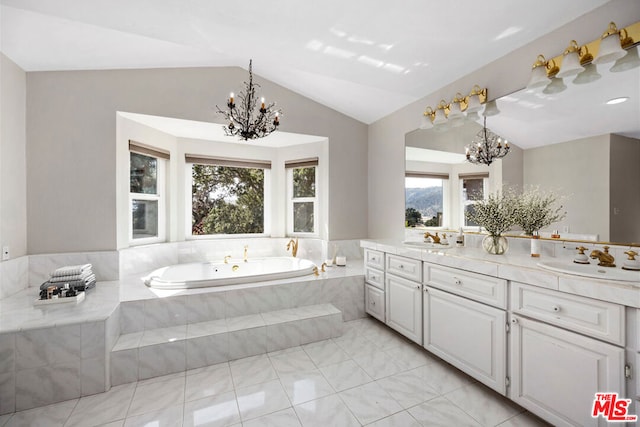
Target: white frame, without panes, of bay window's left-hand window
{"points": [[160, 196]]}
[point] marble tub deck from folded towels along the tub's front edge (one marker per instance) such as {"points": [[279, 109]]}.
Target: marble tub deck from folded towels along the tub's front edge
{"points": [[18, 313]]}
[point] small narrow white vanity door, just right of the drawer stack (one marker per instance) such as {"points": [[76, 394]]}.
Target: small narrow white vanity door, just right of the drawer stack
{"points": [[404, 307]]}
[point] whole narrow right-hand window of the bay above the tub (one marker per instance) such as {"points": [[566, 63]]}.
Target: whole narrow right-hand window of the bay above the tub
{"points": [[302, 177]]}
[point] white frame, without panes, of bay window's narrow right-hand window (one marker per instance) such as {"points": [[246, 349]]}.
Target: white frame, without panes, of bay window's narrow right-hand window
{"points": [[291, 200]]}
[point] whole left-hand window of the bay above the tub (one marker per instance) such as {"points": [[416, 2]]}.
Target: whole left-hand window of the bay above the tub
{"points": [[146, 194]]}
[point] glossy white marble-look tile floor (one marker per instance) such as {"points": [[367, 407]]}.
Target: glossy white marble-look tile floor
{"points": [[370, 376]]}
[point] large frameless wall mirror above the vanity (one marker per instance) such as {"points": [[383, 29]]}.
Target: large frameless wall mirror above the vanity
{"points": [[578, 143]]}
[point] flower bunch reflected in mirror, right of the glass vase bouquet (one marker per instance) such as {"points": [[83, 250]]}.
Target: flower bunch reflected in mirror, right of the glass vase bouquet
{"points": [[537, 209]]}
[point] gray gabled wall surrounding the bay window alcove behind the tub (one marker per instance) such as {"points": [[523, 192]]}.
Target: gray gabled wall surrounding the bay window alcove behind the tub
{"points": [[71, 134]]}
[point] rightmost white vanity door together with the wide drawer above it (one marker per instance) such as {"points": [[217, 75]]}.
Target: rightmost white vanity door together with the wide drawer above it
{"points": [[555, 372]]}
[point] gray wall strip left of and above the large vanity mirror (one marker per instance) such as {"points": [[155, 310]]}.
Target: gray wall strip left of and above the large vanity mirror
{"points": [[501, 77]]}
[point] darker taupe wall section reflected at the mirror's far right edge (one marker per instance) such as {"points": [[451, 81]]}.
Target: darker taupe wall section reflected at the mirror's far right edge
{"points": [[624, 189]]}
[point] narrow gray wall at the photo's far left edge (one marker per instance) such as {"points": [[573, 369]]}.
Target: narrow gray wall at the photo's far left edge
{"points": [[13, 213]]}
